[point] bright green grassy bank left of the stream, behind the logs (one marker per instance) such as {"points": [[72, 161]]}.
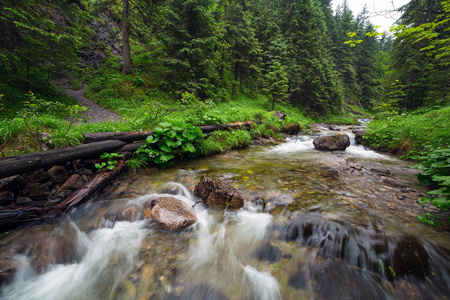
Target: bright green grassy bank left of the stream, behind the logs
{"points": [[21, 123]]}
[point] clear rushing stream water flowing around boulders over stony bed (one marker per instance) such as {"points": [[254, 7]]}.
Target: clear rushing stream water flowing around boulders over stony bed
{"points": [[319, 225]]}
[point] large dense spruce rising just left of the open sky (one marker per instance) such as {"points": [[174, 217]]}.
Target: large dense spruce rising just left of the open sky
{"points": [[312, 81]]}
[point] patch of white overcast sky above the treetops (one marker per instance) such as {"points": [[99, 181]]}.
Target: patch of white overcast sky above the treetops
{"points": [[381, 12]]}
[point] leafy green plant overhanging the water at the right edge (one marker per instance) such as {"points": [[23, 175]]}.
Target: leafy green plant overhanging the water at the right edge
{"points": [[436, 173]]}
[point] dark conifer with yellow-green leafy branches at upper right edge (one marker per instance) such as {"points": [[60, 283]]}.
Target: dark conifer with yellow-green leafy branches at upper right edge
{"points": [[420, 55]]}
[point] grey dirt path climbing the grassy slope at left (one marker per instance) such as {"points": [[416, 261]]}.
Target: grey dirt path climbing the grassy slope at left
{"points": [[96, 113]]}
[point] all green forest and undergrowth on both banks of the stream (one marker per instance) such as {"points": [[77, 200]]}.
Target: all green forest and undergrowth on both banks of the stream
{"points": [[203, 62]]}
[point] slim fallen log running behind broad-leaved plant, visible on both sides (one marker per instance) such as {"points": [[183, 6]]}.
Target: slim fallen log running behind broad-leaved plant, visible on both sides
{"points": [[92, 137]]}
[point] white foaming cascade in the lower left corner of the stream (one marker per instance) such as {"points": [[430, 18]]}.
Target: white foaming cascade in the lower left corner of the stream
{"points": [[111, 254]]}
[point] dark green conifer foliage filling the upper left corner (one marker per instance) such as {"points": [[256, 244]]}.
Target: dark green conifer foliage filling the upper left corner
{"points": [[40, 34]]}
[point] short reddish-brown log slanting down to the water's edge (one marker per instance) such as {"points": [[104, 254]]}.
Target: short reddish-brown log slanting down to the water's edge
{"points": [[90, 187]]}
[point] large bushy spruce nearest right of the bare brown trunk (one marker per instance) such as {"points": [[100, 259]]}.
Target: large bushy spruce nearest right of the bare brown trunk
{"points": [[191, 41]]}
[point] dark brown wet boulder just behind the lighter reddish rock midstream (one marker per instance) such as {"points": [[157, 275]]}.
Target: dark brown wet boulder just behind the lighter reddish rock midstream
{"points": [[216, 193]]}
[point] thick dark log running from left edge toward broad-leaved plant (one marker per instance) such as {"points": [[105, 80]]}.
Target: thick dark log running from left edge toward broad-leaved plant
{"points": [[45, 159]]}
